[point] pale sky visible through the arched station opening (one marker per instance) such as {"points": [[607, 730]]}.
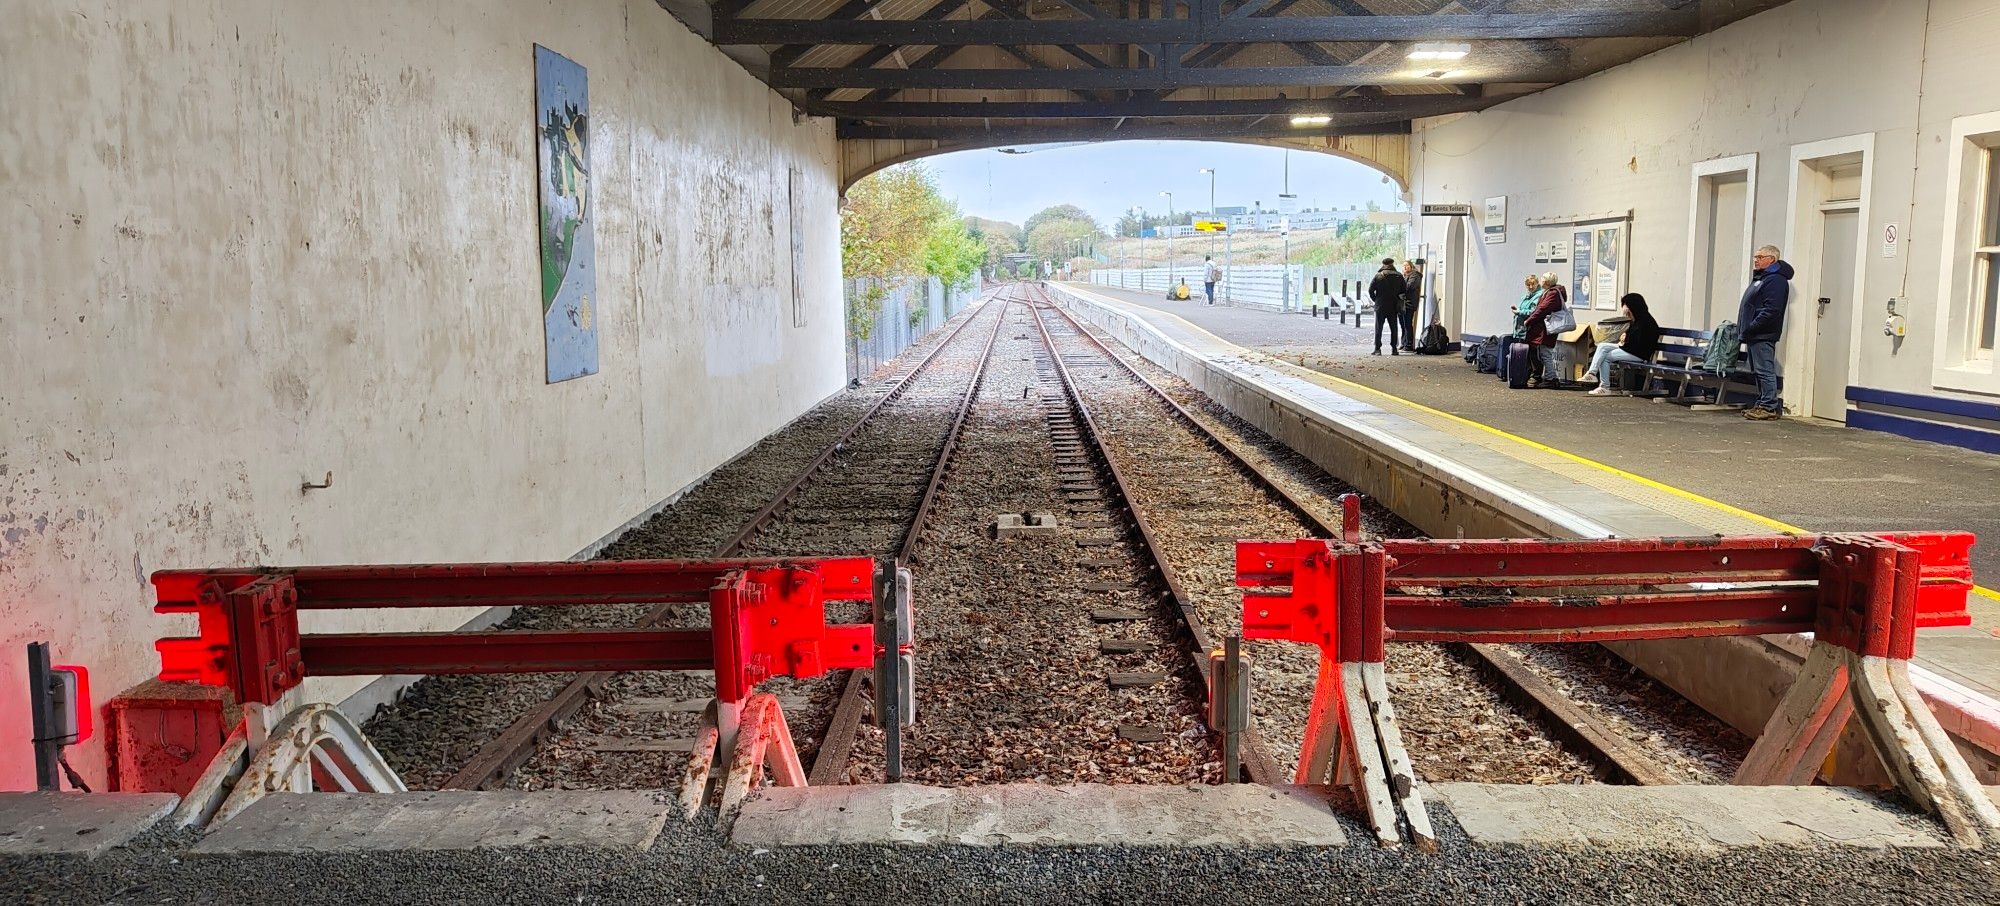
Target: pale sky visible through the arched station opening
{"points": [[1111, 179]]}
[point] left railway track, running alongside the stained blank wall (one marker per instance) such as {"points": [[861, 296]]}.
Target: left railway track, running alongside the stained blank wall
{"points": [[867, 493]]}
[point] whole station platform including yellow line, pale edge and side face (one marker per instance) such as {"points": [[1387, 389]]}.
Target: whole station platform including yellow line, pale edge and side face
{"points": [[1457, 453]]}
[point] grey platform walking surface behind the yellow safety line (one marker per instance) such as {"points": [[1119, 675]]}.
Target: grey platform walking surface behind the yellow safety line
{"points": [[1801, 471]]}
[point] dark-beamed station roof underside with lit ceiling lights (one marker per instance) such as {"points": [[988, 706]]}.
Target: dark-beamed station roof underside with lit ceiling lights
{"points": [[1077, 71]]}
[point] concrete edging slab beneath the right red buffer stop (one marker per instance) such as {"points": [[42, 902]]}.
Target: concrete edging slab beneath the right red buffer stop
{"points": [[1681, 817]]}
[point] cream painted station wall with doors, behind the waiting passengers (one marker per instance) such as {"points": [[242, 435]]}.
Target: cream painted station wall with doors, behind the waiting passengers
{"points": [[1629, 139]]}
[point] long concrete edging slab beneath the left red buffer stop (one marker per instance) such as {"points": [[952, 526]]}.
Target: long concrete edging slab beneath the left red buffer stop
{"points": [[443, 821]]}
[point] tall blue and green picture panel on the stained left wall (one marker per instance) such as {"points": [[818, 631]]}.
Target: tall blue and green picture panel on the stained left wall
{"points": [[567, 241]]}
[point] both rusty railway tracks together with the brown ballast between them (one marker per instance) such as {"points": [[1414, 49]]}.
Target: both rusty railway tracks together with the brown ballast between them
{"points": [[1153, 497]]}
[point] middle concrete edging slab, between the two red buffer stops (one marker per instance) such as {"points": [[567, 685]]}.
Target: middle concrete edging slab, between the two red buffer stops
{"points": [[1037, 815]]}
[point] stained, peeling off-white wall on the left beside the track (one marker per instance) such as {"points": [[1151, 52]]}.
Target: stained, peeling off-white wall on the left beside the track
{"points": [[255, 243]]}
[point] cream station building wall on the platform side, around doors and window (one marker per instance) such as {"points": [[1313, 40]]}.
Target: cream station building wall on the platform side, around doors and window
{"points": [[1881, 101]]}
